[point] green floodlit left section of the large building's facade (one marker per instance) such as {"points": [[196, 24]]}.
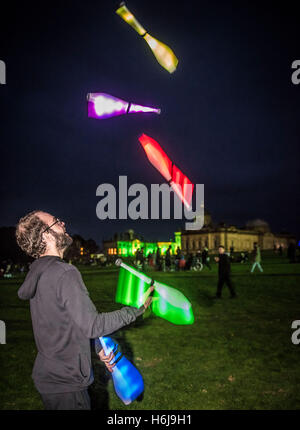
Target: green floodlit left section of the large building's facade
{"points": [[128, 248]]}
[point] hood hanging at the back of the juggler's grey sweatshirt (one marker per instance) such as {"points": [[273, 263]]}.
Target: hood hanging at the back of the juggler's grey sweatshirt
{"points": [[29, 286]]}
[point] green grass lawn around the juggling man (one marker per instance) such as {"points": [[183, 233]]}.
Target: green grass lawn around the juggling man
{"points": [[237, 355]]}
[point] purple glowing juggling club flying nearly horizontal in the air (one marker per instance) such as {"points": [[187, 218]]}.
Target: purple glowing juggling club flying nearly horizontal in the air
{"points": [[102, 106]]}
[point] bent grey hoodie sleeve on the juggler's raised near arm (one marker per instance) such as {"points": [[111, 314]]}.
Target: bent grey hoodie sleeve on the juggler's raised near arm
{"points": [[74, 296]]}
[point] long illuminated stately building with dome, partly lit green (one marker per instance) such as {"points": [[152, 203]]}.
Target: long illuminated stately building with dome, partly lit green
{"points": [[211, 236]]}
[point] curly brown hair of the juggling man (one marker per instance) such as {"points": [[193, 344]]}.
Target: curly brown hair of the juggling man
{"points": [[29, 234]]}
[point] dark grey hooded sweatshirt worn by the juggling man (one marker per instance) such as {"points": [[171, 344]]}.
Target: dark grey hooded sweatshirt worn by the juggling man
{"points": [[64, 319]]}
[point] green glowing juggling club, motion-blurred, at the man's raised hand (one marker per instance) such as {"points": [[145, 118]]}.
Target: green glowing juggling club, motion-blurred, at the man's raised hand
{"points": [[167, 303]]}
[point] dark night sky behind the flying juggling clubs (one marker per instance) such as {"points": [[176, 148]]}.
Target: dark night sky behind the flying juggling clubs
{"points": [[230, 113]]}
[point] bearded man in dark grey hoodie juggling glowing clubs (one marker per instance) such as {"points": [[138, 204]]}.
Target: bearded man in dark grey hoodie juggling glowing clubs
{"points": [[64, 318]]}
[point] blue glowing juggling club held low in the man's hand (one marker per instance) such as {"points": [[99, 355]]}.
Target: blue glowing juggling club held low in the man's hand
{"points": [[128, 381]]}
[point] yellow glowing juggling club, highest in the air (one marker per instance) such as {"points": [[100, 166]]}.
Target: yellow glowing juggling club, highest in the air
{"points": [[164, 55]]}
